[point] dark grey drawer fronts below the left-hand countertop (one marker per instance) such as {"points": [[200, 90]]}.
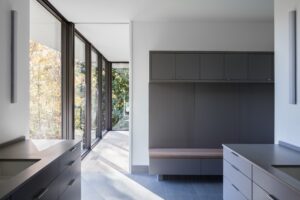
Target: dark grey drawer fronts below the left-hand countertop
{"points": [[51, 183]]}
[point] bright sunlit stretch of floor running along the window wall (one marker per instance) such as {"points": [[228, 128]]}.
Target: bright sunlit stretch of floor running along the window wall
{"points": [[105, 169]]}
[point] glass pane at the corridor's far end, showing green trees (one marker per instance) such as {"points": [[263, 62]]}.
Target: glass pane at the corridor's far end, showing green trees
{"points": [[120, 96]]}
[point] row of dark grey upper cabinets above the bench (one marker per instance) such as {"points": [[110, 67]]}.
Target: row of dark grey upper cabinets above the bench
{"points": [[249, 67]]}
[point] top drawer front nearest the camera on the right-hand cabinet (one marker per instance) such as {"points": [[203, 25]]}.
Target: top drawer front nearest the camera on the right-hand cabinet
{"points": [[278, 190]]}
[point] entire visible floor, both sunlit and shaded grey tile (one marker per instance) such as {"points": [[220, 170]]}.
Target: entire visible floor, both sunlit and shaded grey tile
{"points": [[105, 176]]}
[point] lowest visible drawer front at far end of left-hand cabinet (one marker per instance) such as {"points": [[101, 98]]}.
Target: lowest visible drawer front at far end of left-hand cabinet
{"points": [[73, 191]]}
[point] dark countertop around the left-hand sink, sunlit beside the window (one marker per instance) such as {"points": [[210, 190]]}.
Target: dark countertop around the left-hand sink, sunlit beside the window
{"points": [[46, 151]]}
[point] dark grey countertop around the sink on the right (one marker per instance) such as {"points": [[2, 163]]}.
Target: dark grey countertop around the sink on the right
{"points": [[265, 155]]}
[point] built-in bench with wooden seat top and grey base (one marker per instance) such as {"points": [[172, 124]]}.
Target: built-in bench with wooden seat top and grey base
{"points": [[185, 161]]}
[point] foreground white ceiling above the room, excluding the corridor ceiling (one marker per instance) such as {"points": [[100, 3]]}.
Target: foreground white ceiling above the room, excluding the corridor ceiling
{"points": [[112, 11]]}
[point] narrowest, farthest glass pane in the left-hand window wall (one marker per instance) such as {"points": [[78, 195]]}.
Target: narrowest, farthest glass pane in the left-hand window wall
{"points": [[104, 98]]}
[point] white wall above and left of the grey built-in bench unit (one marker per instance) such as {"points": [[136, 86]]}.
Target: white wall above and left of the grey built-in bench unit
{"points": [[225, 36]]}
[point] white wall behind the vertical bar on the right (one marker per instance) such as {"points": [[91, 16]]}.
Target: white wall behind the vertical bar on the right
{"points": [[287, 116]]}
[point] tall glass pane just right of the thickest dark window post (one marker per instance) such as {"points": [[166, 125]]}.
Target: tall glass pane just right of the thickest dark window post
{"points": [[80, 91]]}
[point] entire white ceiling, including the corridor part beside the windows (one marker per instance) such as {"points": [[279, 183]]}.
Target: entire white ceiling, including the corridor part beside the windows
{"points": [[95, 12]]}
